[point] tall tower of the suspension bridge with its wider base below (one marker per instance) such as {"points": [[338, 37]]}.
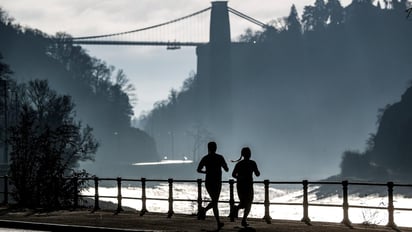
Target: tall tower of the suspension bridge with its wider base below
{"points": [[214, 68]]}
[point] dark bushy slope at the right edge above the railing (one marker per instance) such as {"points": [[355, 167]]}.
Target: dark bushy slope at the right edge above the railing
{"points": [[387, 155]]}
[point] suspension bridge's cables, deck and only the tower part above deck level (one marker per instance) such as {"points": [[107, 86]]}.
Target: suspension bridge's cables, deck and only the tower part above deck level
{"points": [[207, 25]]}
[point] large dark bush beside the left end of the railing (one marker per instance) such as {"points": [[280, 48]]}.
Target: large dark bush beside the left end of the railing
{"points": [[46, 145]]}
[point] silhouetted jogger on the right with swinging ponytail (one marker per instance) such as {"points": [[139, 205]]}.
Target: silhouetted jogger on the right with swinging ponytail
{"points": [[243, 172]]}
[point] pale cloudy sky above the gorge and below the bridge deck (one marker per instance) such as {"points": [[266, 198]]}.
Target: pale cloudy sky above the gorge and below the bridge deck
{"points": [[153, 70]]}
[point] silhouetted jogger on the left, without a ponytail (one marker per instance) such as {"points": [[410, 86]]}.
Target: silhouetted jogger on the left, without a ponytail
{"points": [[213, 163]]}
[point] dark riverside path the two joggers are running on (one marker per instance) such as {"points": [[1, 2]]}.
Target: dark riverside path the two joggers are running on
{"points": [[132, 221]]}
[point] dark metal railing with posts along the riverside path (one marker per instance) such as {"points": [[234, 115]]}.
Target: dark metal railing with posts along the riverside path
{"points": [[170, 198]]}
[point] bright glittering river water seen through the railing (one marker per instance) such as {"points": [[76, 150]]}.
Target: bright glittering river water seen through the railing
{"points": [[188, 191]]}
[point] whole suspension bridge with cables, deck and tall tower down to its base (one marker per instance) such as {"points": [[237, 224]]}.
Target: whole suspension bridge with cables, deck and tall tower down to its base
{"points": [[209, 31]]}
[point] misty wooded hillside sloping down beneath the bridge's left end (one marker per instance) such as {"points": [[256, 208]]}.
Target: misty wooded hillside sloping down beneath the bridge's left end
{"points": [[102, 94]]}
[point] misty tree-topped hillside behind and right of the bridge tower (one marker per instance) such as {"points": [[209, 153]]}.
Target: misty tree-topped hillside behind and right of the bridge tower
{"points": [[302, 92]]}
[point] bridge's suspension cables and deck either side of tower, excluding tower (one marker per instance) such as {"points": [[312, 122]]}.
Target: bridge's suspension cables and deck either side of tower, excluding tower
{"points": [[184, 31]]}
